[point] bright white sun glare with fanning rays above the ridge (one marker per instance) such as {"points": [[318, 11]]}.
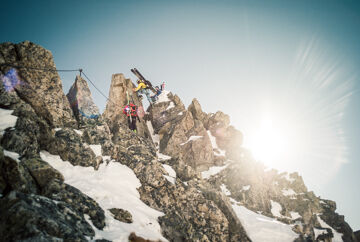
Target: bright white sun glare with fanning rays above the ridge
{"points": [[302, 127]]}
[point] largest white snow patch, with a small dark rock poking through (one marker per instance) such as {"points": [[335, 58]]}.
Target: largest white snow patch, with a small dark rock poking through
{"points": [[112, 186]]}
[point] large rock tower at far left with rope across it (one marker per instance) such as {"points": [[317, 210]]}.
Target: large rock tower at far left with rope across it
{"points": [[41, 89]]}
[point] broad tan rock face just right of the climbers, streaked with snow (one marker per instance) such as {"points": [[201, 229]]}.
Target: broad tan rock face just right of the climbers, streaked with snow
{"points": [[181, 136]]}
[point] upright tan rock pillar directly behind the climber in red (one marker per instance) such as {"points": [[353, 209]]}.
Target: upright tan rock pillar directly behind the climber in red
{"points": [[113, 113]]}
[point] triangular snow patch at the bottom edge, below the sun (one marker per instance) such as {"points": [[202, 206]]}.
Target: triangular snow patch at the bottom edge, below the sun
{"points": [[261, 228]]}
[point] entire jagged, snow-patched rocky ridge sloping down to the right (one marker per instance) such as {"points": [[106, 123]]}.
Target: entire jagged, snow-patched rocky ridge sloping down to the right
{"points": [[189, 166]]}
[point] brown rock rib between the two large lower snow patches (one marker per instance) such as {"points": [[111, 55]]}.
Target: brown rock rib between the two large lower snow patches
{"points": [[189, 216]]}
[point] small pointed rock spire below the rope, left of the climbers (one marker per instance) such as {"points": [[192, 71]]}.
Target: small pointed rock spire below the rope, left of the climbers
{"points": [[85, 110]]}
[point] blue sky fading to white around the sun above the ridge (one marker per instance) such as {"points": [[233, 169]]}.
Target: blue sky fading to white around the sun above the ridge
{"points": [[293, 61]]}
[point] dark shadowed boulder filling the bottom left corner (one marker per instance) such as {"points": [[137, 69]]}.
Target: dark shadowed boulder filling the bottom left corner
{"points": [[36, 218]]}
